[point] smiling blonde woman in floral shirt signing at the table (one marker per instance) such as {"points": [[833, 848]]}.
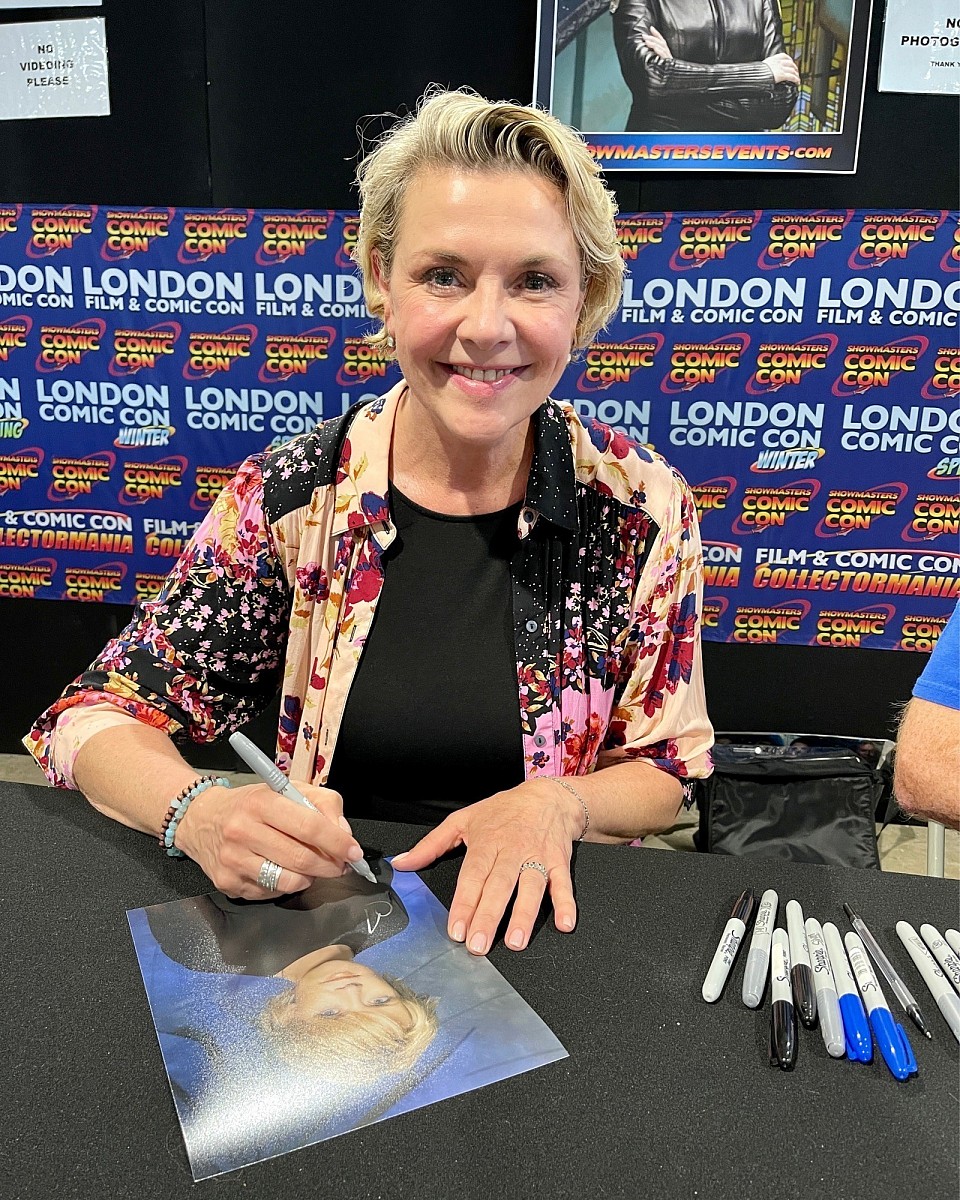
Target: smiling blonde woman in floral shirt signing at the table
{"points": [[536, 581]]}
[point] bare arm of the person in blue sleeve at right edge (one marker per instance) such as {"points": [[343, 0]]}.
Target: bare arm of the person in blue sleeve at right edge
{"points": [[927, 769]]}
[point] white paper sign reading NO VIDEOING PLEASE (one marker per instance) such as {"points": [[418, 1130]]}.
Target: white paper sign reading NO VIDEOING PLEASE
{"points": [[55, 69]]}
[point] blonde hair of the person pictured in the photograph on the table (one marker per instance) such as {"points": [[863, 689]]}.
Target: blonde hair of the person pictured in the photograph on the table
{"points": [[356, 1046]]}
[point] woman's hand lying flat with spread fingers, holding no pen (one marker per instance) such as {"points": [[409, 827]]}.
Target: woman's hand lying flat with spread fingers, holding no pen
{"points": [[535, 823]]}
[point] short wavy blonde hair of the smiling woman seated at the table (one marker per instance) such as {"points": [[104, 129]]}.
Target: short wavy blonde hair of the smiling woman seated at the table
{"points": [[461, 130]]}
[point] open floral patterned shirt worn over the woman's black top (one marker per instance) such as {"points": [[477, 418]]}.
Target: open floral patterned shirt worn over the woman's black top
{"points": [[278, 590]]}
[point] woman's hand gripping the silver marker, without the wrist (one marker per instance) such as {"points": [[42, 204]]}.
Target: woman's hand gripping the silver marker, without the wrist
{"points": [[230, 832]]}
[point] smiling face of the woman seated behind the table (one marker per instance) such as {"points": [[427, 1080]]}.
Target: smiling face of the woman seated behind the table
{"points": [[483, 302]]}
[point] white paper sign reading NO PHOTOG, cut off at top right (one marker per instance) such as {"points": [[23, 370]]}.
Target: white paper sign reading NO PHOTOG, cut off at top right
{"points": [[921, 51]]}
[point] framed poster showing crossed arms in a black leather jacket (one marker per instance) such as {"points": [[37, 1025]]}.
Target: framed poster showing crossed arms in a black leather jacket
{"points": [[709, 86]]}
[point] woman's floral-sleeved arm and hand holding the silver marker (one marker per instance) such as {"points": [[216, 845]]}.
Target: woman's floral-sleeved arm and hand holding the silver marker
{"points": [[201, 661]]}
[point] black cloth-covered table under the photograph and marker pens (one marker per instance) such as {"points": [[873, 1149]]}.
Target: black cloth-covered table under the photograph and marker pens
{"points": [[663, 1095]]}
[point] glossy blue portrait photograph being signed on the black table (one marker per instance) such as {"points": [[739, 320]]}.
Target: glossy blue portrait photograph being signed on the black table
{"points": [[286, 1023]]}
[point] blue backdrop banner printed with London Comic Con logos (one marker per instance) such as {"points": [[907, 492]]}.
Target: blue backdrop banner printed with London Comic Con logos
{"points": [[801, 369]]}
